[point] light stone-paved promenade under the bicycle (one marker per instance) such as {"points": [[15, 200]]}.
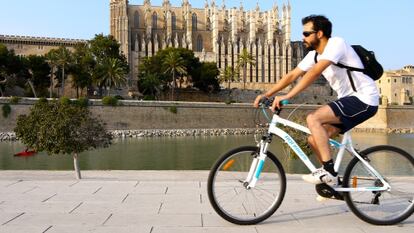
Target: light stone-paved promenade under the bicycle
{"points": [[155, 202]]}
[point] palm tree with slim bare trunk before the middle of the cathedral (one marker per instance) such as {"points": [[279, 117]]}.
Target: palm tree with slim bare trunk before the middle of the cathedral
{"points": [[174, 64]]}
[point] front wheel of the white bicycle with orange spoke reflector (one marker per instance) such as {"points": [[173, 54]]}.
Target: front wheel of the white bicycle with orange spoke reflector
{"points": [[228, 192]]}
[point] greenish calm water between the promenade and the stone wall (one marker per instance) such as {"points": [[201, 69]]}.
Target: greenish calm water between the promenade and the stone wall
{"points": [[181, 153]]}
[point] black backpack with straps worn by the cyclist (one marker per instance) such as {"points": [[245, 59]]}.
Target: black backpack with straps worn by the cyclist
{"points": [[372, 68]]}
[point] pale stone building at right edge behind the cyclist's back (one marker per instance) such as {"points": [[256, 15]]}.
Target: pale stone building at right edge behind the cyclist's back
{"points": [[397, 86]]}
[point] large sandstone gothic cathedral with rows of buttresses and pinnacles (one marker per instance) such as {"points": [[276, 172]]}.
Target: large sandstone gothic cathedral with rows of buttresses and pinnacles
{"points": [[215, 34]]}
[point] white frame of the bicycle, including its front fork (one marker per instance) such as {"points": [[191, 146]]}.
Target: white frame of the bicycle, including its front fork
{"points": [[346, 144]]}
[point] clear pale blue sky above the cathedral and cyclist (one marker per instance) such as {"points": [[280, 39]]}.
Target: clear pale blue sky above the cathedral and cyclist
{"points": [[384, 26]]}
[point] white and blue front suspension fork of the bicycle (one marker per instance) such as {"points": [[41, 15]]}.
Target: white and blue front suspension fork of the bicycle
{"points": [[257, 164]]}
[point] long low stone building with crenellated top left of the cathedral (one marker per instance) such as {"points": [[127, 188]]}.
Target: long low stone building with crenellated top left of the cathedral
{"points": [[29, 45]]}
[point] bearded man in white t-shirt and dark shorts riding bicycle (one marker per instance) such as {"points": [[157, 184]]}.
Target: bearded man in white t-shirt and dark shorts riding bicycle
{"points": [[356, 103]]}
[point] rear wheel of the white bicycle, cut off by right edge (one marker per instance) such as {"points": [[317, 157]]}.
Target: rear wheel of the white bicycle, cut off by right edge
{"points": [[381, 207]]}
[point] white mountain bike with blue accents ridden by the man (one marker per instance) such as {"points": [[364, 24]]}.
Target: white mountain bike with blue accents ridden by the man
{"points": [[244, 189]]}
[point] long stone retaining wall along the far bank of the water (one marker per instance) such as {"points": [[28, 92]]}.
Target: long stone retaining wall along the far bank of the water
{"points": [[136, 115]]}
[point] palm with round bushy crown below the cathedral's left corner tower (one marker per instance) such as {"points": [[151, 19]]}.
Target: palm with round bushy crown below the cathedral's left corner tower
{"points": [[111, 73]]}
